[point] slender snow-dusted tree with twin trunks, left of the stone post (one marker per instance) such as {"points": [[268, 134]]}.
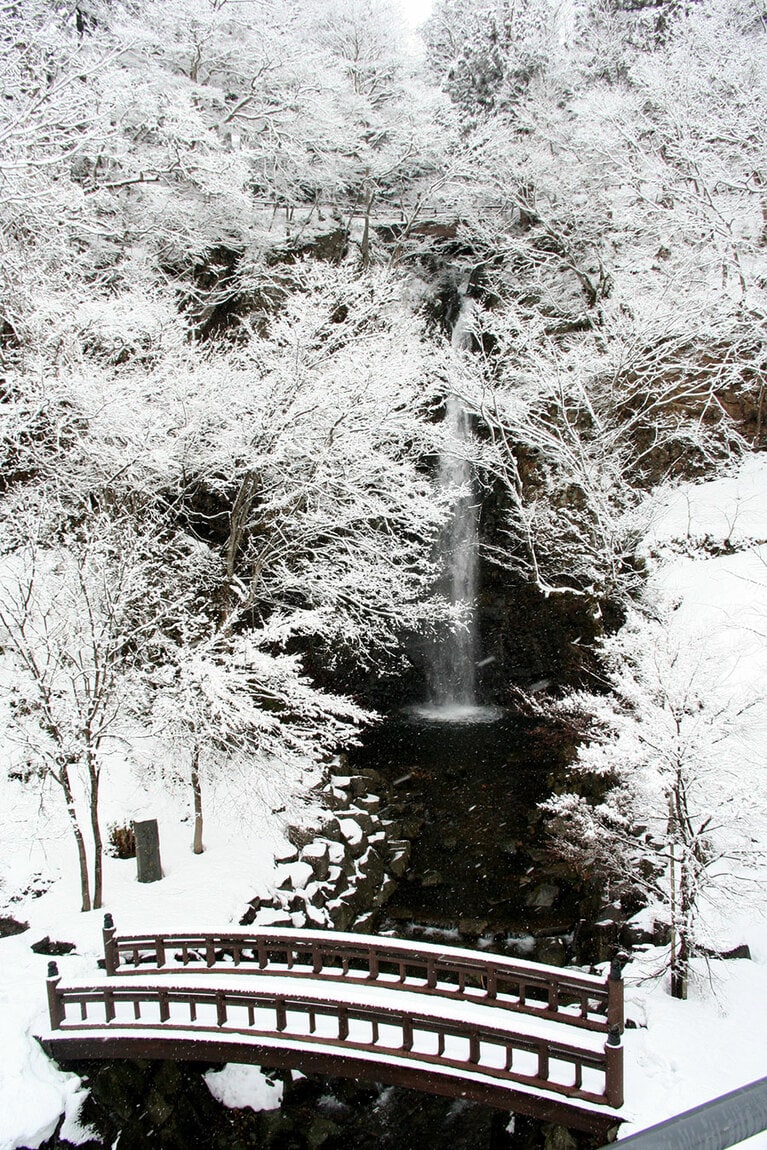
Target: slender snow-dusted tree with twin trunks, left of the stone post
{"points": [[76, 617]]}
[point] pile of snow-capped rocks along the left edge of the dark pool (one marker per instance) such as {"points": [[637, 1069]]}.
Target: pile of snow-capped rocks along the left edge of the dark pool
{"points": [[341, 876]]}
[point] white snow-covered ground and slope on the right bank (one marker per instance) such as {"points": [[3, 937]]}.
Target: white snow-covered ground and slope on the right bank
{"points": [[685, 1054]]}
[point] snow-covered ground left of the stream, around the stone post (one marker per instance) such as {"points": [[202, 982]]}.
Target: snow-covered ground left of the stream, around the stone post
{"points": [[209, 892]]}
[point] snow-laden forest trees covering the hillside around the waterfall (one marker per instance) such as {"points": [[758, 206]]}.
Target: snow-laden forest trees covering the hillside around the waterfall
{"points": [[235, 241]]}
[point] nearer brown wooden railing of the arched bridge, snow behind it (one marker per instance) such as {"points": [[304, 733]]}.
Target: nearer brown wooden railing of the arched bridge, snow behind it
{"points": [[504, 1056]]}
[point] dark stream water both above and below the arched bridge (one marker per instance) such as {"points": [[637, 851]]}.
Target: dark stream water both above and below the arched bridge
{"points": [[479, 877]]}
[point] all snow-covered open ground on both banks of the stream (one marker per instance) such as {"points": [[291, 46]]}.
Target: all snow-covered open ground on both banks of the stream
{"points": [[679, 1055]]}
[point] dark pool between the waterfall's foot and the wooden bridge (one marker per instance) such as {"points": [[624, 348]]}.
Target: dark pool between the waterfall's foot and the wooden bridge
{"points": [[480, 871]]}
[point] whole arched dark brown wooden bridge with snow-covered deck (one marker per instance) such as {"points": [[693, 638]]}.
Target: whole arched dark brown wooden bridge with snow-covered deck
{"points": [[532, 1039]]}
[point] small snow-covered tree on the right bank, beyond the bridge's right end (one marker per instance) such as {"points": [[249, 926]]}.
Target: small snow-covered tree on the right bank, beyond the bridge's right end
{"points": [[668, 750]]}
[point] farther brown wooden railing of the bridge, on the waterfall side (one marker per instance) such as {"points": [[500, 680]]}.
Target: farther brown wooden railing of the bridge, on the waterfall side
{"points": [[581, 1000]]}
